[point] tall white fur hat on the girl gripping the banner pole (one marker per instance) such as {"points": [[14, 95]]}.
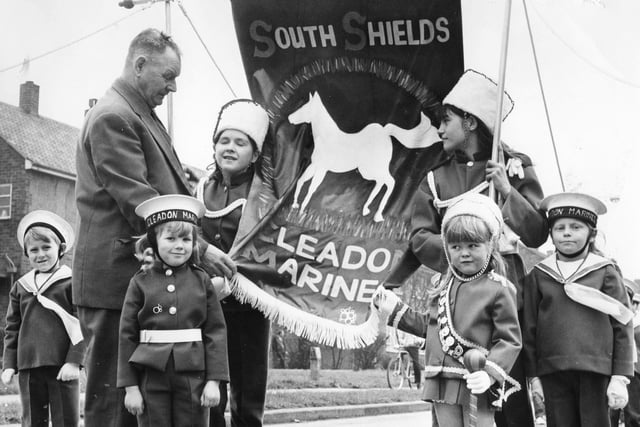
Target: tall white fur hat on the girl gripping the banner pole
{"points": [[477, 94]]}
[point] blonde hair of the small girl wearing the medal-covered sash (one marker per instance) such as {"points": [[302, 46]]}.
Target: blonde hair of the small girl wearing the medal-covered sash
{"points": [[469, 228]]}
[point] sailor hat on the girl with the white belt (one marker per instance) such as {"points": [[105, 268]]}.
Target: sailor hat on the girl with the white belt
{"points": [[170, 207]]}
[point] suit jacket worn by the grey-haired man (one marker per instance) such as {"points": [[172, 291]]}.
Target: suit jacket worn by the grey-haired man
{"points": [[124, 157]]}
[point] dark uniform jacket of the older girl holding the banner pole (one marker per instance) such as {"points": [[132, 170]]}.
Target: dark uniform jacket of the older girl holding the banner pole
{"points": [[456, 176]]}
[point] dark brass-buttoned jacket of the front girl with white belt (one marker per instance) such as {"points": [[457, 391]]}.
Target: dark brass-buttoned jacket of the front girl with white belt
{"points": [[181, 298]]}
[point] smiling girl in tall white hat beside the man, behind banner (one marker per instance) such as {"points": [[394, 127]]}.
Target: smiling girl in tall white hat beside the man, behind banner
{"points": [[237, 142]]}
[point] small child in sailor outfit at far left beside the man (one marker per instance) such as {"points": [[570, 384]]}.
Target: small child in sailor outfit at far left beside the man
{"points": [[42, 338]]}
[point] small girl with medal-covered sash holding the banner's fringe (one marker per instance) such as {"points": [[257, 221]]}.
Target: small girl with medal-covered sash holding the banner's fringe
{"points": [[471, 307]]}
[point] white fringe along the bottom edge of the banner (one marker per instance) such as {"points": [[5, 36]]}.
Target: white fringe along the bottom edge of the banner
{"points": [[304, 324]]}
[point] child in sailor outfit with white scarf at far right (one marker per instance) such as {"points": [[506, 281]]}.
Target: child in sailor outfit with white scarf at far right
{"points": [[577, 328]]}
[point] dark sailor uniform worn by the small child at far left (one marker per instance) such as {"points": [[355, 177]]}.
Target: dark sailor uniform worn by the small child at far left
{"points": [[36, 345]]}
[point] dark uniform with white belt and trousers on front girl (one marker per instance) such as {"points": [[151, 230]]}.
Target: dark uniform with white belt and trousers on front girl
{"points": [[178, 302]]}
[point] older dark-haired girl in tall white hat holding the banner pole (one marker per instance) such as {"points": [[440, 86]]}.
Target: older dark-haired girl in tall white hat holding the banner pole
{"points": [[467, 132]]}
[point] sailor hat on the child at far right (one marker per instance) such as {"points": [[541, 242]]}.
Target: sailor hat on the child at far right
{"points": [[573, 205]]}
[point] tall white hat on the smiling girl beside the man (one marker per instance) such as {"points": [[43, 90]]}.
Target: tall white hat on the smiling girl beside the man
{"points": [[245, 116]]}
